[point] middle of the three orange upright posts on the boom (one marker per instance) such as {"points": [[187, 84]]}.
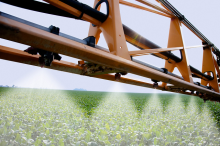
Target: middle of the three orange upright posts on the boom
{"points": [[176, 40]]}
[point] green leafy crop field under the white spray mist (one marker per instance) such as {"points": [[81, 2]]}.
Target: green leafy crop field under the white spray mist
{"points": [[51, 117]]}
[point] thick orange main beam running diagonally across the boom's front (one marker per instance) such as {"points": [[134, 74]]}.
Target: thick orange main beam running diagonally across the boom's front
{"points": [[37, 38]]}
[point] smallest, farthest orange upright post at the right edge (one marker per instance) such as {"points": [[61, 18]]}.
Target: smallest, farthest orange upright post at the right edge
{"points": [[208, 65]]}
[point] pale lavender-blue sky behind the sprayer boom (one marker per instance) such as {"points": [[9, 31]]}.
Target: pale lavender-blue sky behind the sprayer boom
{"points": [[203, 14]]}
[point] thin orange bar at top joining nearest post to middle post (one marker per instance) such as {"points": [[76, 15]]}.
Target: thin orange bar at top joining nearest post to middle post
{"points": [[143, 8]]}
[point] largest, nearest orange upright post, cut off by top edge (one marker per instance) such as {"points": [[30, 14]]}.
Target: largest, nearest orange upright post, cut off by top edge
{"points": [[112, 30]]}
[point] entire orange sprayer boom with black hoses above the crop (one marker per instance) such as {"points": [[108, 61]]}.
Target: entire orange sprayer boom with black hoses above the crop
{"points": [[46, 45]]}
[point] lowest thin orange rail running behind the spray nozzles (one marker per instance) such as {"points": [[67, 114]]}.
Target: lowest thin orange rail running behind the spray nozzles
{"points": [[15, 55]]}
